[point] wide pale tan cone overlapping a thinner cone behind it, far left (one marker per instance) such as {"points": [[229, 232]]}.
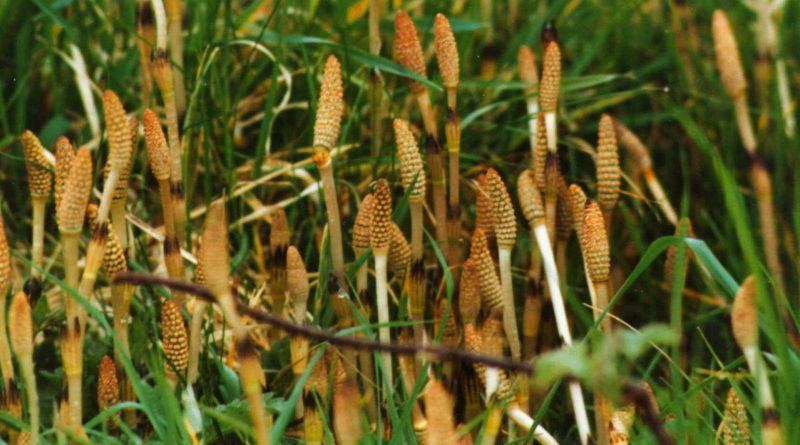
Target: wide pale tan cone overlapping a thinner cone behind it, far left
{"points": [[70, 213]]}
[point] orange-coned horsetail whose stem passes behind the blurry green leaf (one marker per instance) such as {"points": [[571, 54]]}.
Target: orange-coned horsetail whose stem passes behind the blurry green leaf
{"points": [[596, 252]]}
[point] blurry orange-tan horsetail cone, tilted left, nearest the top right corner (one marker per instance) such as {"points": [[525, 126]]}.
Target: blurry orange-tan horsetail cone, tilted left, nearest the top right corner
{"points": [[728, 61]]}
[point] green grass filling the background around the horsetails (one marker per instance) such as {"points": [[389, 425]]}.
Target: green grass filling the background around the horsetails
{"points": [[635, 60]]}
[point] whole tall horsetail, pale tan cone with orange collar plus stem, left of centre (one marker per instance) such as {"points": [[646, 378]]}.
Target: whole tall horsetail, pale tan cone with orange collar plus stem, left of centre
{"points": [[330, 110]]}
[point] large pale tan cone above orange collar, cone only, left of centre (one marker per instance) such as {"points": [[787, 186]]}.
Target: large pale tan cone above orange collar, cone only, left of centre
{"points": [[330, 108]]}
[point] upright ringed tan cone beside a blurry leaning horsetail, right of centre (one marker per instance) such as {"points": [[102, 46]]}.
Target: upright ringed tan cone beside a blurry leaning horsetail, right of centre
{"points": [[608, 173]]}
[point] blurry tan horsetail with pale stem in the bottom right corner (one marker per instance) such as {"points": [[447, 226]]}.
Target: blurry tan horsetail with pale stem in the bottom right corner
{"points": [[744, 322]]}
